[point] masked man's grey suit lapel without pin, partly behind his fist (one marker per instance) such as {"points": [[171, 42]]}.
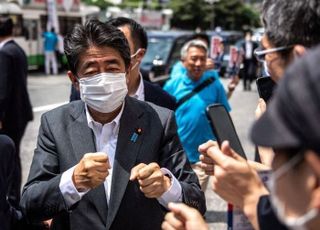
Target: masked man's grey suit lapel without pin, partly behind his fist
{"points": [[82, 139]]}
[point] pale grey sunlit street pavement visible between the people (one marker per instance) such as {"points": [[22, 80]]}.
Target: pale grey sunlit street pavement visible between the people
{"points": [[49, 92]]}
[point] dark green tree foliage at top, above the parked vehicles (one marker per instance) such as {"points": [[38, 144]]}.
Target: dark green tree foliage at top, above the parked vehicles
{"points": [[229, 14]]}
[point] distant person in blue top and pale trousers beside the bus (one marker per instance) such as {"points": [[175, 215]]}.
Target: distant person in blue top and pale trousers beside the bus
{"points": [[50, 45]]}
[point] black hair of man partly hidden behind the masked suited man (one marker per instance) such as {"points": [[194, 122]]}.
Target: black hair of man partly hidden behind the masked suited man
{"points": [[138, 34]]}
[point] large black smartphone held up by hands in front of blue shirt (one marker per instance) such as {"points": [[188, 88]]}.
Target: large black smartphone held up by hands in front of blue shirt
{"points": [[223, 127]]}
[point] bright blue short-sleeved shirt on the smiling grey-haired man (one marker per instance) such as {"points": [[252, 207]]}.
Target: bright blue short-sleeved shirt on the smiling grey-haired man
{"points": [[193, 126]]}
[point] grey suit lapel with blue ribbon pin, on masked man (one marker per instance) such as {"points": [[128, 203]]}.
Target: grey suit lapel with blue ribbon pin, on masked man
{"points": [[126, 154]]}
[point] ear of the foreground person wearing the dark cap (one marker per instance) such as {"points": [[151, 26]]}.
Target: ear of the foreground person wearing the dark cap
{"points": [[313, 160]]}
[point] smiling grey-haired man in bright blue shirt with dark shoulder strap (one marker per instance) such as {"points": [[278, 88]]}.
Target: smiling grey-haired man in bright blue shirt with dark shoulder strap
{"points": [[193, 125]]}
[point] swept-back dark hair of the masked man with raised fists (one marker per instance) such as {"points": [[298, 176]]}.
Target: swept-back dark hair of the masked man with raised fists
{"points": [[94, 33]]}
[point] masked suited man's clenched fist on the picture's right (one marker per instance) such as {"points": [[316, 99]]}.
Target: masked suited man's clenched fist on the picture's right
{"points": [[153, 183]]}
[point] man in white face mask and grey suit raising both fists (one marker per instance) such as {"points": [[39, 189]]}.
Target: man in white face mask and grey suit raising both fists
{"points": [[108, 161]]}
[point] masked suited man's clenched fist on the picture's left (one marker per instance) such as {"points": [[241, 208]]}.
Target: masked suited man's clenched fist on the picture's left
{"points": [[91, 171]]}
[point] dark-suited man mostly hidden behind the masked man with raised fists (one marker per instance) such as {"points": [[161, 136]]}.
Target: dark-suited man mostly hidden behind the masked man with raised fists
{"points": [[137, 87]]}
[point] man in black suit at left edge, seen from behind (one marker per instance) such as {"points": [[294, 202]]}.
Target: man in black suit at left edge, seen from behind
{"points": [[15, 107]]}
